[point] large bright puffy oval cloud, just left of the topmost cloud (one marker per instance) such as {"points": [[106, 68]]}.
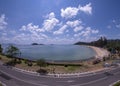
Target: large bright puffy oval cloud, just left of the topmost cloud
{"points": [[69, 12]]}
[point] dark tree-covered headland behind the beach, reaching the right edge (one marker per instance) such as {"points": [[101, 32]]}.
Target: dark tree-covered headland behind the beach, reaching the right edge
{"points": [[103, 42]]}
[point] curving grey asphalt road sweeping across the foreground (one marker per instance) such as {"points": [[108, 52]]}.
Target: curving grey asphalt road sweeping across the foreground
{"points": [[14, 78]]}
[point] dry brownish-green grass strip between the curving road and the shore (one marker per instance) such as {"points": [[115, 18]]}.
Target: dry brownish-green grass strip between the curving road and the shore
{"points": [[53, 68]]}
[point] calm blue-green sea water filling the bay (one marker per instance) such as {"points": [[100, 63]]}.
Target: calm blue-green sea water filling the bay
{"points": [[54, 52]]}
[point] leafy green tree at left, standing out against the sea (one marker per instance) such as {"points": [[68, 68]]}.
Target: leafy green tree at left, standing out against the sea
{"points": [[12, 51]]}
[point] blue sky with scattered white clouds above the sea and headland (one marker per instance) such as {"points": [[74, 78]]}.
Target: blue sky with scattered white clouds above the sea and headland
{"points": [[58, 21]]}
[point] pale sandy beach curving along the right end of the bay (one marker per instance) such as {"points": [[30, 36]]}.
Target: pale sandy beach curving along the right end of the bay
{"points": [[100, 52]]}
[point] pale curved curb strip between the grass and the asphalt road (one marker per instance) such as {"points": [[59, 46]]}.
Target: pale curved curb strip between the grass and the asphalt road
{"points": [[78, 74]]}
